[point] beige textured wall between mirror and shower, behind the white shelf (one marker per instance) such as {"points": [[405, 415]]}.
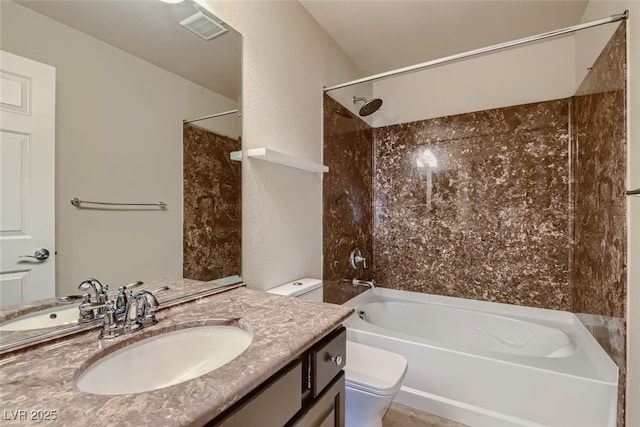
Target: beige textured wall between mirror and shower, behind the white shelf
{"points": [[287, 59]]}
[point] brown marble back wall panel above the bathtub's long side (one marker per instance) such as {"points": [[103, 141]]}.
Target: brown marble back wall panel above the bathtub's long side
{"points": [[475, 205]]}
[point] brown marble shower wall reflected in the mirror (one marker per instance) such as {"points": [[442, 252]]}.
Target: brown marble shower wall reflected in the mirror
{"points": [[212, 205]]}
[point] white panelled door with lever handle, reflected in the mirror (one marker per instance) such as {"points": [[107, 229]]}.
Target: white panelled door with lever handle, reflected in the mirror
{"points": [[27, 165]]}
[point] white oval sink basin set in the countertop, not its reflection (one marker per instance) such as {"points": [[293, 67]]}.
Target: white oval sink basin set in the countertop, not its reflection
{"points": [[164, 360]]}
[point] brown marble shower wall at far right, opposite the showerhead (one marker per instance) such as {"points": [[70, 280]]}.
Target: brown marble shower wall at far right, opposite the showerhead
{"points": [[599, 252]]}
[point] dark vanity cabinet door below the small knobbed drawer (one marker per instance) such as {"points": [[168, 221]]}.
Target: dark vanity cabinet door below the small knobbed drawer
{"points": [[327, 410]]}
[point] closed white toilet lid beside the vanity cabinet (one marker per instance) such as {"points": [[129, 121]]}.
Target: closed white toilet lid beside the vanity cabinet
{"points": [[372, 369]]}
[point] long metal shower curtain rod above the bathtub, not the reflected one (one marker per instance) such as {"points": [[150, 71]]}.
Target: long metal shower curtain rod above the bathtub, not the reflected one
{"points": [[612, 18]]}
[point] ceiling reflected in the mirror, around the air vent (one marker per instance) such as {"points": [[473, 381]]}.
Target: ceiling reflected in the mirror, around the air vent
{"points": [[151, 31]]}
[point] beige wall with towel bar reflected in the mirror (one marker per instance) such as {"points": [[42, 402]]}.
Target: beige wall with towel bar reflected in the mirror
{"points": [[118, 138]]}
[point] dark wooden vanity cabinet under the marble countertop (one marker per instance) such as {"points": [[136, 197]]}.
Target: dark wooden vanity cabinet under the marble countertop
{"points": [[309, 392]]}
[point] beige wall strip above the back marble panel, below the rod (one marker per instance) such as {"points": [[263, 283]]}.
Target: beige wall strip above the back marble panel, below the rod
{"points": [[530, 73]]}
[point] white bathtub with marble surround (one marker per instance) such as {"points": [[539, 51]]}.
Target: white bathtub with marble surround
{"points": [[490, 364]]}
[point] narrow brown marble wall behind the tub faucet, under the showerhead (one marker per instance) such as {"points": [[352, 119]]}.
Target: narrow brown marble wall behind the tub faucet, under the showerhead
{"points": [[346, 198]]}
